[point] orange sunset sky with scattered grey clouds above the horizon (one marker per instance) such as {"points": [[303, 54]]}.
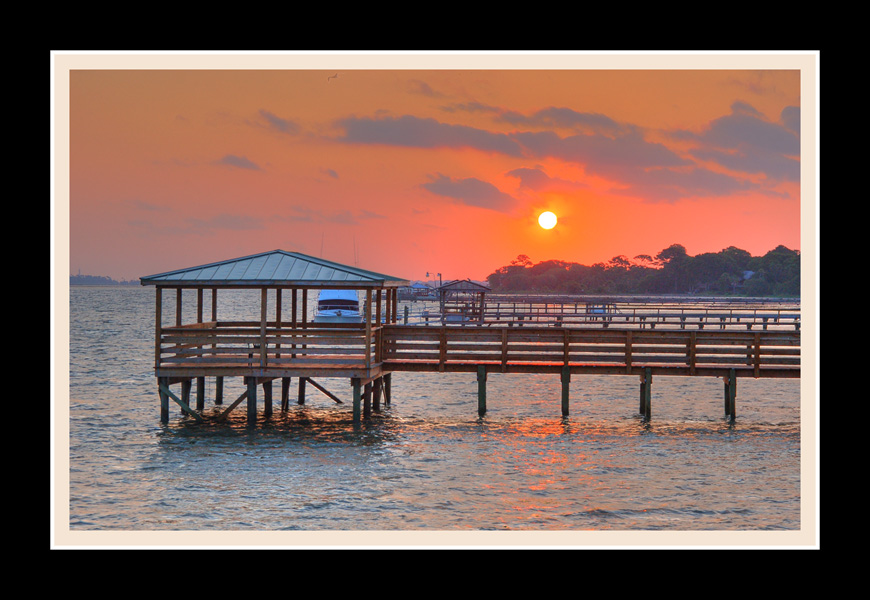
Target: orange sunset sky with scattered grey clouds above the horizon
{"points": [[413, 169]]}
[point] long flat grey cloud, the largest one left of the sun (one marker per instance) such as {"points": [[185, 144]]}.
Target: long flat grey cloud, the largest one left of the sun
{"points": [[414, 132]]}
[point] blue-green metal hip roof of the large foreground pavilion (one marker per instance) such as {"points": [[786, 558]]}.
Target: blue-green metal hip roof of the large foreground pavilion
{"points": [[275, 268]]}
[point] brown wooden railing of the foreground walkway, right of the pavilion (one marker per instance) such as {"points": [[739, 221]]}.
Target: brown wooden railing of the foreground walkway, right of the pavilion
{"points": [[547, 349]]}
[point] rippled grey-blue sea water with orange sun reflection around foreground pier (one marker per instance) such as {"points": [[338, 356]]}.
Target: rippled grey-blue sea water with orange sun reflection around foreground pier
{"points": [[427, 463]]}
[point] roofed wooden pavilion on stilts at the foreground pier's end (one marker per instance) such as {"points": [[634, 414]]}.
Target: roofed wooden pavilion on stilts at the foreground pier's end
{"points": [[277, 346]]}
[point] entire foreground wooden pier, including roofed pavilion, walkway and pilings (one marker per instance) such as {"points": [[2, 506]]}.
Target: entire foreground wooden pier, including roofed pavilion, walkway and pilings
{"points": [[278, 348]]}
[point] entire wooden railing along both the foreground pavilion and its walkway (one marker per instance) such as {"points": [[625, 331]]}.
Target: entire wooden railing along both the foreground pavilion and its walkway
{"points": [[244, 346]]}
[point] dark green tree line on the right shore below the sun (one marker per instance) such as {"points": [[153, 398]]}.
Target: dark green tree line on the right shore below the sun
{"points": [[672, 271]]}
